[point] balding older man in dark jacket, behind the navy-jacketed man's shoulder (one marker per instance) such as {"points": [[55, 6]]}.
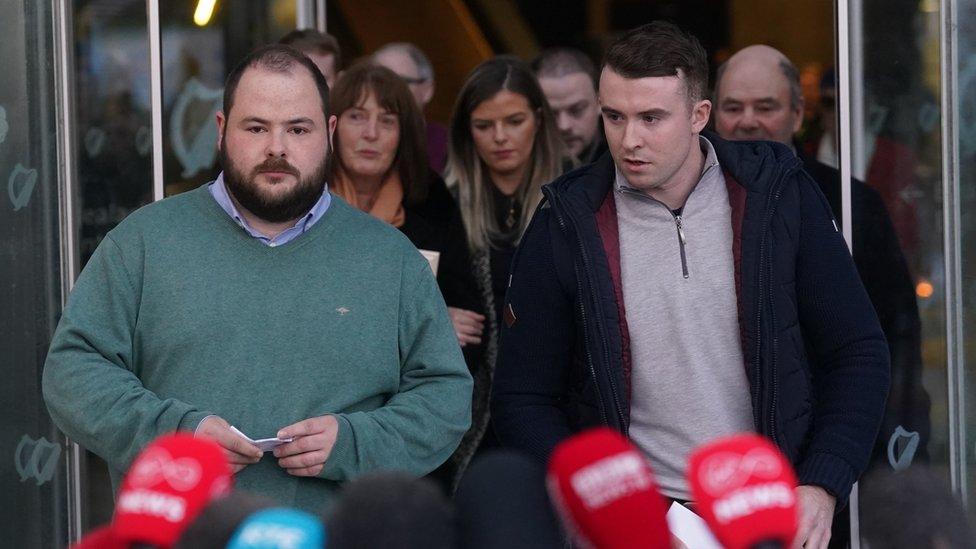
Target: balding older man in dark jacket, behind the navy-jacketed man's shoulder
{"points": [[758, 96]]}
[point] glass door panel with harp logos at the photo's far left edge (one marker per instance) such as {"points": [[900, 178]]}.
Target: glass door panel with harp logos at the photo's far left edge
{"points": [[34, 480]]}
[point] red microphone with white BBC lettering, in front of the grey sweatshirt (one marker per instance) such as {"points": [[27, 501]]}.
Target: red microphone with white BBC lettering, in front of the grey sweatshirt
{"points": [[605, 492]]}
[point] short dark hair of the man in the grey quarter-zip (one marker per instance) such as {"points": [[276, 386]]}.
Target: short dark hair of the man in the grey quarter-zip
{"points": [[660, 49]]}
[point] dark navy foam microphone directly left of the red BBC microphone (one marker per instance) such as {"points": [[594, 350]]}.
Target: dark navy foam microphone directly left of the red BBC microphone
{"points": [[502, 504]]}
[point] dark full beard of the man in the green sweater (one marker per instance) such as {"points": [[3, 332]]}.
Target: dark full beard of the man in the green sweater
{"points": [[273, 209]]}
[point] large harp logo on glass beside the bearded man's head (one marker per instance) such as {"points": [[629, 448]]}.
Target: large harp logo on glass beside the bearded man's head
{"points": [[194, 133]]}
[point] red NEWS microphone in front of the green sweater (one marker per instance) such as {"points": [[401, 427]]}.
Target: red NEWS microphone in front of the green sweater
{"points": [[167, 486]]}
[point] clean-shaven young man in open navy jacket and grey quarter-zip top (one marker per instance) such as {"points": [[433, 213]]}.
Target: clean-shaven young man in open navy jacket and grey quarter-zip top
{"points": [[686, 288]]}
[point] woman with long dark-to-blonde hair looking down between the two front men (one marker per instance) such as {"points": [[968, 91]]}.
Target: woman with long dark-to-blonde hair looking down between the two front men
{"points": [[503, 147]]}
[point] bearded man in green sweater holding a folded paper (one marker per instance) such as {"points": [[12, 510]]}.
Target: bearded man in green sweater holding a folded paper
{"points": [[263, 302]]}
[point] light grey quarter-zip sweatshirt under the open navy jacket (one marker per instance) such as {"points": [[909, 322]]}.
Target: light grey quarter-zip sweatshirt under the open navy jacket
{"points": [[688, 381]]}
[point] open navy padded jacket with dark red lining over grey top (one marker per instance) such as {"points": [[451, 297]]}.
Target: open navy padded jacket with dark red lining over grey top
{"points": [[816, 357]]}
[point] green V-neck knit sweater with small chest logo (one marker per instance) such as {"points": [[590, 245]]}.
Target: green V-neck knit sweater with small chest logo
{"points": [[179, 314]]}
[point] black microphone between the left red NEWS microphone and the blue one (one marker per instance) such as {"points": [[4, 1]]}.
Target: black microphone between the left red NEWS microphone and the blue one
{"points": [[218, 521]]}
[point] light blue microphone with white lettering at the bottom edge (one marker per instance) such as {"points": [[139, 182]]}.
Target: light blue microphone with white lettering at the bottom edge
{"points": [[279, 528]]}
